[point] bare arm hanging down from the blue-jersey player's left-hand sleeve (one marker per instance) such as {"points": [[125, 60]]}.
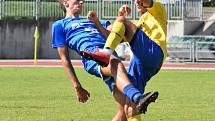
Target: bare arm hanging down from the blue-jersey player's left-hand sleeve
{"points": [[81, 93]]}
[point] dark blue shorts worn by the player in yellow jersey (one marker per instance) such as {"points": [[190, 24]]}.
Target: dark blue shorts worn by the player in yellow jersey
{"points": [[146, 61]]}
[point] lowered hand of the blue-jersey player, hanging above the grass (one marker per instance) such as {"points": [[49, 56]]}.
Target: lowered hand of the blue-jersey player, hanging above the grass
{"points": [[82, 94]]}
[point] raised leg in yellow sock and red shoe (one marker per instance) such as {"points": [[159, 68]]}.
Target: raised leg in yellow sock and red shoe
{"points": [[122, 31]]}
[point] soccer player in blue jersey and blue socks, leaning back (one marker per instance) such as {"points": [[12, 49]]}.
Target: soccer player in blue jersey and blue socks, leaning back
{"points": [[84, 35]]}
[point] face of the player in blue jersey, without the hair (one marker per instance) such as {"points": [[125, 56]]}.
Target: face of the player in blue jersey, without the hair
{"points": [[75, 6]]}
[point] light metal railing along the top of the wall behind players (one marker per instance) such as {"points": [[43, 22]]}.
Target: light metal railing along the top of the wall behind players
{"points": [[106, 9]]}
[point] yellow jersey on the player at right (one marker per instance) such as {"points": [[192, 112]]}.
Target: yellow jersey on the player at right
{"points": [[154, 24]]}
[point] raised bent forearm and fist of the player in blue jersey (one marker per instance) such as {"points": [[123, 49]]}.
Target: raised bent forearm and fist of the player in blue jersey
{"points": [[92, 16]]}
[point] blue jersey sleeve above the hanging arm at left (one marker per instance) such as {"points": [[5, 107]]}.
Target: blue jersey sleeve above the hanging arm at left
{"points": [[58, 35]]}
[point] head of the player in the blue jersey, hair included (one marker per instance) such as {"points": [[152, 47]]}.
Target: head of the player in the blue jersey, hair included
{"points": [[71, 6]]}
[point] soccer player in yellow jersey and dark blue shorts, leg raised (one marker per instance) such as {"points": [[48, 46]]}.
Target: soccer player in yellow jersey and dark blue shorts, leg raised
{"points": [[147, 40]]}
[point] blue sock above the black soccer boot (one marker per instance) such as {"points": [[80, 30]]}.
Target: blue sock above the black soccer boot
{"points": [[132, 93]]}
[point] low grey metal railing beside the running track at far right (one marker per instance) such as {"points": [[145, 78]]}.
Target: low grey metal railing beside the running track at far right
{"points": [[192, 49]]}
